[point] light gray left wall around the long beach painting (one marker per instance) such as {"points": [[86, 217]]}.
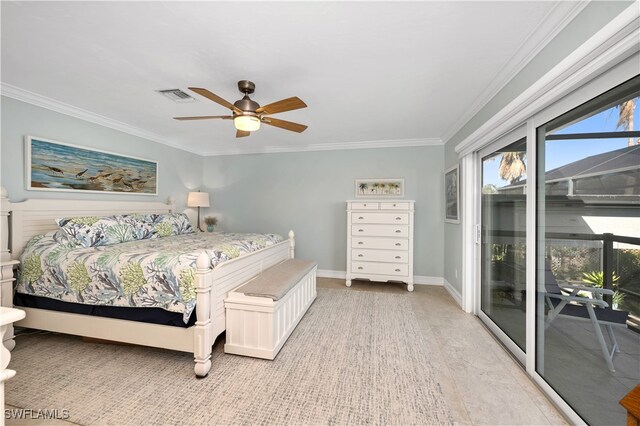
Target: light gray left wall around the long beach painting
{"points": [[178, 171]]}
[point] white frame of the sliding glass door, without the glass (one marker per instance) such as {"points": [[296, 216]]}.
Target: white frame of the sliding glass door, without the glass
{"points": [[621, 65]]}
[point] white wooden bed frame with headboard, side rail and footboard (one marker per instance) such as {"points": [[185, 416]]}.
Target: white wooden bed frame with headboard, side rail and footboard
{"points": [[32, 217]]}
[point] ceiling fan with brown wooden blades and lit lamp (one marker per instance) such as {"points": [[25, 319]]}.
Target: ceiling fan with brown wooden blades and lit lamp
{"points": [[248, 114]]}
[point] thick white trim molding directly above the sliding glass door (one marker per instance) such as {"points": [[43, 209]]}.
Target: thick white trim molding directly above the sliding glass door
{"points": [[614, 42]]}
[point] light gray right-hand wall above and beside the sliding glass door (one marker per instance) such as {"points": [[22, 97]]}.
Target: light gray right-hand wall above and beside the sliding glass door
{"points": [[594, 16]]}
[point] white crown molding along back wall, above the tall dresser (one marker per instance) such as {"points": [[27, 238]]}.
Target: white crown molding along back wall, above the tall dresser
{"points": [[394, 143]]}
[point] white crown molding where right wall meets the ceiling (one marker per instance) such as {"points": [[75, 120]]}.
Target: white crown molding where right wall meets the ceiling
{"points": [[550, 26]]}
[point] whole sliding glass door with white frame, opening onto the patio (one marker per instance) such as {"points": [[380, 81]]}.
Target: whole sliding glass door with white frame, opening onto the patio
{"points": [[551, 219]]}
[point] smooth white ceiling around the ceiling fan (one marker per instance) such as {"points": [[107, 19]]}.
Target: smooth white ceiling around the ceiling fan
{"points": [[371, 73]]}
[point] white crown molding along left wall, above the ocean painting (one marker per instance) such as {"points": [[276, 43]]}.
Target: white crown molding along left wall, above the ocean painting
{"points": [[19, 94]]}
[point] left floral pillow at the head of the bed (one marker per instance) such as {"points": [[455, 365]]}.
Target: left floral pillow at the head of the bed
{"points": [[93, 231]]}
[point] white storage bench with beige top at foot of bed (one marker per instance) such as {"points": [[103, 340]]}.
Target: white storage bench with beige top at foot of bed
{"points": [[262, 313]]}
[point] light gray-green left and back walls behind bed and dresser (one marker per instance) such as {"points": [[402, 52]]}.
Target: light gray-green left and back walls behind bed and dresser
{"points": [[305, 192]]}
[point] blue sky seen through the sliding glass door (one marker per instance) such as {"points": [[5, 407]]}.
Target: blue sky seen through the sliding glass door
{"points": [[561, 152]]}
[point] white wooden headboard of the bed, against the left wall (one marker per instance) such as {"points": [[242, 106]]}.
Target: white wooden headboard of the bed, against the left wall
{"points": [[23, 220]]}
